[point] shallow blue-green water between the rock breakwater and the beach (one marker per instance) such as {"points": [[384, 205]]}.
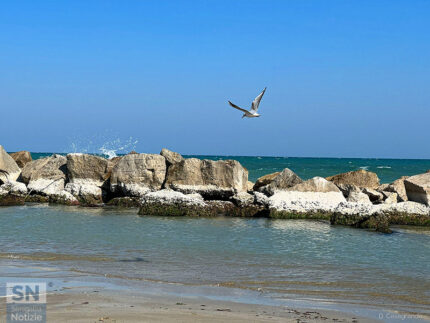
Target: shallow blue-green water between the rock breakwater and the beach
{"points": [[282, 259]]}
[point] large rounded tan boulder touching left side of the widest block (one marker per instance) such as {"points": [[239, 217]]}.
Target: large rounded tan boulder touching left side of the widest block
{"points": [[136, 174]]}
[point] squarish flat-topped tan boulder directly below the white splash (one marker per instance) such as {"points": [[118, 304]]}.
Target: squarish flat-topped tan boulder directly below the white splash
{"points": [[88, 169]]}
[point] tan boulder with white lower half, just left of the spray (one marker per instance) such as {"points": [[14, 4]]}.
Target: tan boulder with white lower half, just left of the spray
{"points": [[45, 176]]}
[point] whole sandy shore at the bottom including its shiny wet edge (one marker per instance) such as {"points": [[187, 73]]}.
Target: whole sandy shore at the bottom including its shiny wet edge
{"points": [[81, 299]]}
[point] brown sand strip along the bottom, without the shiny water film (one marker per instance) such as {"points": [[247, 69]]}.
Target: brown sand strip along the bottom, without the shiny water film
{"points": [[92, 305]]}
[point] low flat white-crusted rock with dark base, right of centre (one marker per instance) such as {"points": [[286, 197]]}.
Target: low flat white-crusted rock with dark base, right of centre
{"points": [[308, 204]]}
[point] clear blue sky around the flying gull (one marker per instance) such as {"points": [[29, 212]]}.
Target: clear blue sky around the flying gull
{"points": [[344, 78]]}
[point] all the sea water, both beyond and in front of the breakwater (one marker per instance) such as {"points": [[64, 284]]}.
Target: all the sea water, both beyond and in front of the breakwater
{"points": [[296, 263]]}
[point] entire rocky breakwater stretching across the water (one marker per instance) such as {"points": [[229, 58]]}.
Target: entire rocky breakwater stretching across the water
{"points": [[167, 184]]}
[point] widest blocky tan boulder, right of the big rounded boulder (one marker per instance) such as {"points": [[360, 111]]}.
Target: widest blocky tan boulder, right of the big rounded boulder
{"points": [[219, 179]]}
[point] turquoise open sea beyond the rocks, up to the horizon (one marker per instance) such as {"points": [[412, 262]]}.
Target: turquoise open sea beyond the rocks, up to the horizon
{"points": [[388, 170]]}
